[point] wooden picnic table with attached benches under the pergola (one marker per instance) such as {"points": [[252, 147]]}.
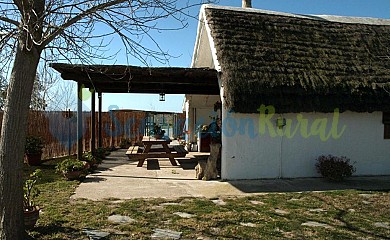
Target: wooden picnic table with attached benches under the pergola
{"points": [[155, 148]]}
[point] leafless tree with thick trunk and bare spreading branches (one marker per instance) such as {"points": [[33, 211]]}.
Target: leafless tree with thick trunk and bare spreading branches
{"points": [[31, 30]]}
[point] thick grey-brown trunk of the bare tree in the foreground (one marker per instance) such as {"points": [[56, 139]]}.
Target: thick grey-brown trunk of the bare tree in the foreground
{"points": [[12, 141]]}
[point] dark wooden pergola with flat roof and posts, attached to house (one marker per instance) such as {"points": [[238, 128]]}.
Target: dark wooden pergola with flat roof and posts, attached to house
{"points": [[132, 79]]}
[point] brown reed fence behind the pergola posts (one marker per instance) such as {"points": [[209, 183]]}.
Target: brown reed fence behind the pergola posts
{"points": [[60, 132]]}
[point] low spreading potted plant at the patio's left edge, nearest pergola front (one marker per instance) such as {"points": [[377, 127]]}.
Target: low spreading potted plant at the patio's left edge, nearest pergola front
{"points": [[72, 169]]}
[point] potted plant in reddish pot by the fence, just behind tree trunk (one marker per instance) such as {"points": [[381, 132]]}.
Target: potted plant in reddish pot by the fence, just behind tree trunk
{"points": [[33, 150]]}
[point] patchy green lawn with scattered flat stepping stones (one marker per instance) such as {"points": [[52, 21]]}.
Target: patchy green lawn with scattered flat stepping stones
{"points": [[347, 215]]}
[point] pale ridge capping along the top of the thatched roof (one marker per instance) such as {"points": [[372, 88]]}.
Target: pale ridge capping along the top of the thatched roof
{"points": [[326, 18]]}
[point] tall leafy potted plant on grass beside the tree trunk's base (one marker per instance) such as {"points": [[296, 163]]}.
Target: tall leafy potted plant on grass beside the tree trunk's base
{"points": [[31, 211]]}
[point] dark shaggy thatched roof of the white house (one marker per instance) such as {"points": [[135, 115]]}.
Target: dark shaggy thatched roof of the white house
{"points": [[300, 63]]}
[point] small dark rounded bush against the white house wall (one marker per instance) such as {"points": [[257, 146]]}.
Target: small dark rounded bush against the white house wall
{"points": [[334, 168]]}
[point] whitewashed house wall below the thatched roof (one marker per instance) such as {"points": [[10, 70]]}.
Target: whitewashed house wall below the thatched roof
{"points": [[247, 154]]}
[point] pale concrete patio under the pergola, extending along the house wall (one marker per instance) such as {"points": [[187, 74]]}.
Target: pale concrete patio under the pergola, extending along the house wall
{"points": [[120, 178]]}
